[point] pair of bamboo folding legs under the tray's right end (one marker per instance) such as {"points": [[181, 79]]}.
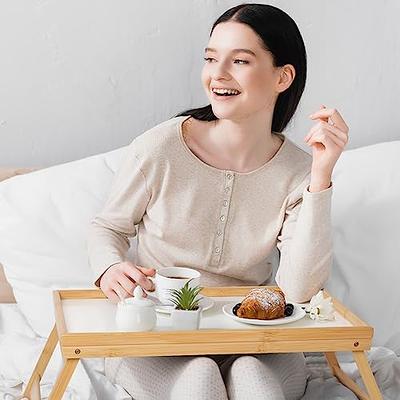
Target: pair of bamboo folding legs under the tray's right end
{"points": [[366, 374]]}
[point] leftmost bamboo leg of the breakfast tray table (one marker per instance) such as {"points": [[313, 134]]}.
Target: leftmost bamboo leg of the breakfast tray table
{"points": [[32, 390]]}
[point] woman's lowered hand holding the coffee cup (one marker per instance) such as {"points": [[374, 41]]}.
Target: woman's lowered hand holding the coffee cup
{"points": [[119, 280]]}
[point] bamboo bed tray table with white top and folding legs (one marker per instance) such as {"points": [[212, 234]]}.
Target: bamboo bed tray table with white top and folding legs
{"points": [[85, 327]]}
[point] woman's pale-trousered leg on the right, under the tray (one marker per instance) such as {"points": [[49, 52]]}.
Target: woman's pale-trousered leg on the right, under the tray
{"points": [[281, 376]]}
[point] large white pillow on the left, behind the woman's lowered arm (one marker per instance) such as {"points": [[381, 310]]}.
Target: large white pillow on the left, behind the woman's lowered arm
{"points": [[45, 217]]}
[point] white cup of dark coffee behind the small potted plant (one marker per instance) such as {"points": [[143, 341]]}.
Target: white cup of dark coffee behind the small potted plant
{"points": [[173, 278]]}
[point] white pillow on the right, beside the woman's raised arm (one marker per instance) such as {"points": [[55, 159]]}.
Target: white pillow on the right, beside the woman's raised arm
{"points": [[366, 235]]}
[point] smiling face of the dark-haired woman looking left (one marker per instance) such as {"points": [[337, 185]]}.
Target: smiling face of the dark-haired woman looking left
{"points": [[254, 76]]}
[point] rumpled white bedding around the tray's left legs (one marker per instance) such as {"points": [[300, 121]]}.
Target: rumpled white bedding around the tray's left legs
{"points": [[20, 349]]}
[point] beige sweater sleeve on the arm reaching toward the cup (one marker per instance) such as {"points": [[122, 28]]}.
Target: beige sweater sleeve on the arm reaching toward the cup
{"points": [[109, 231]]}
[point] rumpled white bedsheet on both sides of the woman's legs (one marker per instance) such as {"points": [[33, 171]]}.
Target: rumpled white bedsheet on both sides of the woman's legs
{"points": [[20, 348]]}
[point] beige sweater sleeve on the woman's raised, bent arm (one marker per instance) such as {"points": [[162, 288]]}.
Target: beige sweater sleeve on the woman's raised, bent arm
{"points": [[305, 243]]}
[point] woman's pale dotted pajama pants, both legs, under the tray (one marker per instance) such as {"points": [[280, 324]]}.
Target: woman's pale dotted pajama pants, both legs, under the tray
{"points": [[272, 376]]}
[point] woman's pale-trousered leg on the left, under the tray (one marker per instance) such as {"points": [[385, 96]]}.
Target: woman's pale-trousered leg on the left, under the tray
{"points": [[169, 377]]}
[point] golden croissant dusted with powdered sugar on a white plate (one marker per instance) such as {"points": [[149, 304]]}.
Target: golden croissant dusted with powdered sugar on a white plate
{"points": [[263, 303]]}
